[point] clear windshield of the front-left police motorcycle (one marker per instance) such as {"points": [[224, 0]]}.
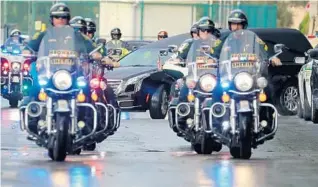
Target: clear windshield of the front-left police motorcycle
{"points": [[61, 49]]}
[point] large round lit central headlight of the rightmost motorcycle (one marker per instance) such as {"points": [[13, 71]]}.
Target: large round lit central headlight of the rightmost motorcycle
{"points": [[243, 81]]}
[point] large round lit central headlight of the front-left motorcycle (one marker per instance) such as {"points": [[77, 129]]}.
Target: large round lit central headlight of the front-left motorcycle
{"points": [[62, 80]]}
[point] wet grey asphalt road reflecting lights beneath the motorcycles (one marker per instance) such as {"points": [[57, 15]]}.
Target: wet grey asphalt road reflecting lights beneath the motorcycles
{"points": [[146, 153]]}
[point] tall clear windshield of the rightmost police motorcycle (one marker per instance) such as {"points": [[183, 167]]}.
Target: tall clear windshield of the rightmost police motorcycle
{"points": [[242, 52]]}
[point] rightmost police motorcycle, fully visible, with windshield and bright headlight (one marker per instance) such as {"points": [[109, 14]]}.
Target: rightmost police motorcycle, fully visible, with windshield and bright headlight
{"points": [[238, 121]]}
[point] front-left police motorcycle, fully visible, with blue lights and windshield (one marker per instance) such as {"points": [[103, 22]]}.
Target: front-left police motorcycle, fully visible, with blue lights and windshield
{"points": [[63, 110]]}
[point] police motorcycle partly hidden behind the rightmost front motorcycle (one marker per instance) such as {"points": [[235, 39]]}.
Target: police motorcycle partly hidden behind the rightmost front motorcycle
{"points": [[185, 117]]}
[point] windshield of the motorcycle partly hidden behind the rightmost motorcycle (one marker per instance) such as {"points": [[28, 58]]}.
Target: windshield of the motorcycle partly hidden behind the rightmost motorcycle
{"points": [[199, 60]]}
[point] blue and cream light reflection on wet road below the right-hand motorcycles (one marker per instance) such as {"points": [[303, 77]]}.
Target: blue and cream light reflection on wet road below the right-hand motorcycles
{"points": [[232, 173]]}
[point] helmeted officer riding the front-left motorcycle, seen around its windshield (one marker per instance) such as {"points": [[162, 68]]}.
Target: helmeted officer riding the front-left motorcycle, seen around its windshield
{"points": [[59, 17]]}
